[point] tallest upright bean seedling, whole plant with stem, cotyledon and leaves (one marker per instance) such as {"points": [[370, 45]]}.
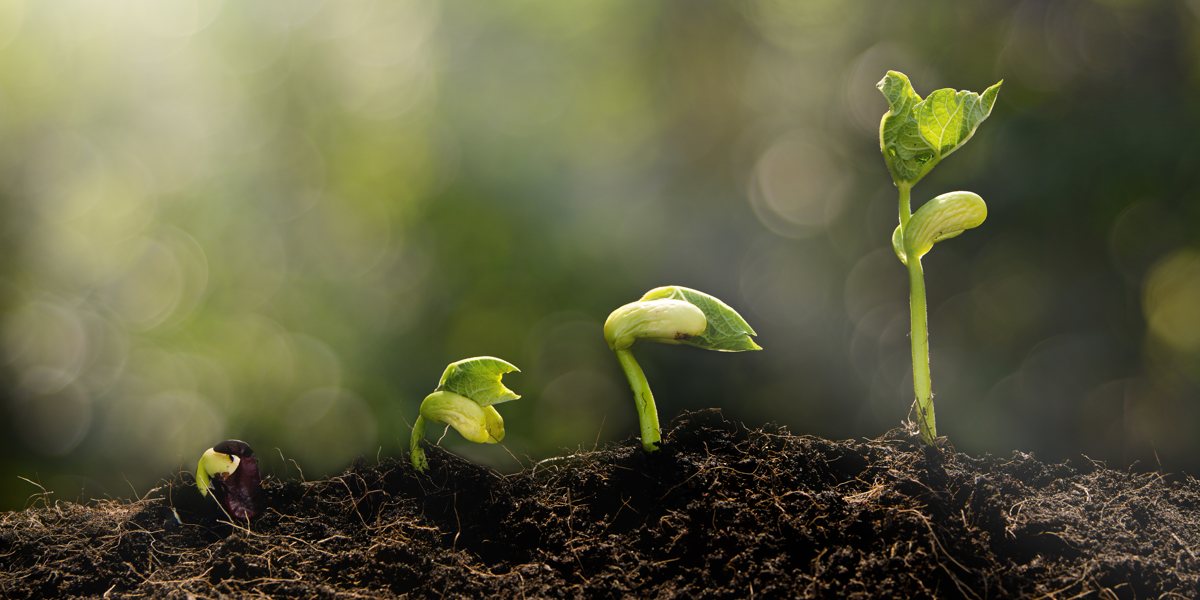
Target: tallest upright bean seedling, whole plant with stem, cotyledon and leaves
{"points": [[916, 135]]}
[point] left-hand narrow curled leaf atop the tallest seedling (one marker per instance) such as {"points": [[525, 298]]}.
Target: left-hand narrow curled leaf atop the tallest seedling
{"points": [[905, 152]]}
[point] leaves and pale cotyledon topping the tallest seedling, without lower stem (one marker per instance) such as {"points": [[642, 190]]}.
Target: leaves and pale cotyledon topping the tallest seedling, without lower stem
{"points": [[915, 135]]}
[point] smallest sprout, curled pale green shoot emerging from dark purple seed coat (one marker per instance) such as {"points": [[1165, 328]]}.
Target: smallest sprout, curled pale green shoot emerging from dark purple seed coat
{"points": [[231, 472]]}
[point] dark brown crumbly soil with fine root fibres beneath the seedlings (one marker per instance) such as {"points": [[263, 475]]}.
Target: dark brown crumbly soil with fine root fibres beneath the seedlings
{"points": [[722, 512]]}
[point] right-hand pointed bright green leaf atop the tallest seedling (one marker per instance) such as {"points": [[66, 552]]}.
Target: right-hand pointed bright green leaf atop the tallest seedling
{"points": [[947, 118]]}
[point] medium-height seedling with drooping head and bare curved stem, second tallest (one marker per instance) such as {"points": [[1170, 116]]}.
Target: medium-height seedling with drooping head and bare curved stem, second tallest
{"points": [[671, 315]]}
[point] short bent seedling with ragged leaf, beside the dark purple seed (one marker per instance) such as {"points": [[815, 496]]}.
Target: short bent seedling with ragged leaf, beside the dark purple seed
{"points": [[465, 400]]}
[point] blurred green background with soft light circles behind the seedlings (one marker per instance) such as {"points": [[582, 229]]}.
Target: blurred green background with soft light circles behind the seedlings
{"points": [[279, 221]]}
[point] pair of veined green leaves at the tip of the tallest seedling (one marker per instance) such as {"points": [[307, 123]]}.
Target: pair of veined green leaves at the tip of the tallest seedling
{"points": [[916, 134]]}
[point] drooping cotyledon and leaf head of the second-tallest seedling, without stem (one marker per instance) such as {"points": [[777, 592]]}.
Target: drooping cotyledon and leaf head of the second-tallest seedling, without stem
{"points": [[680, 315]]}
